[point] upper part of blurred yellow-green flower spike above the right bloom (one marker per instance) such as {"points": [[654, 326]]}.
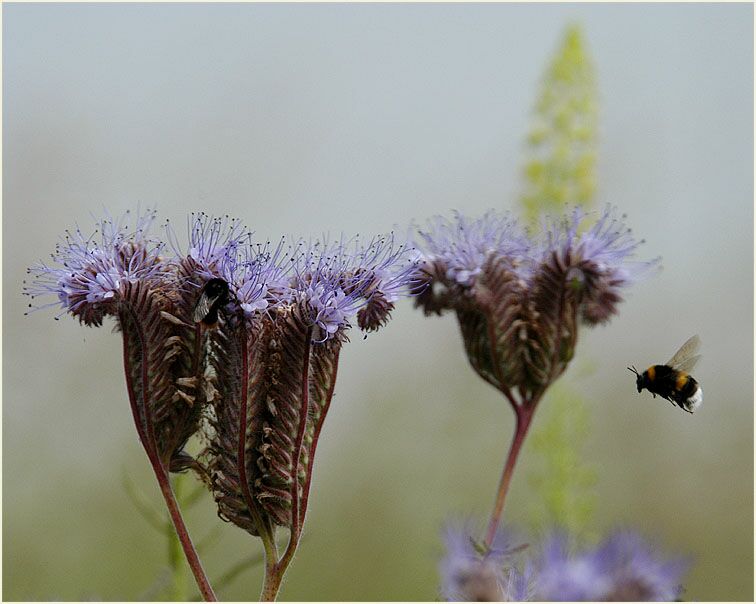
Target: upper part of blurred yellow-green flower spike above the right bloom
{"points": [[560, 167]]}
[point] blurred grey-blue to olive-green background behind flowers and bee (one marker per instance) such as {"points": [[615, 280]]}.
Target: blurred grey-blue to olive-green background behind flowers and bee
{"points": [[356, 118]]}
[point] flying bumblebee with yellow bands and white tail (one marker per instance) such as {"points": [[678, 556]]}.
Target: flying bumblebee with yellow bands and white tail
{"points": [[672, 380]]}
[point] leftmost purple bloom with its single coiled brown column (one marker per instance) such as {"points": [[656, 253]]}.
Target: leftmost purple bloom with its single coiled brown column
{"points": [[123, 274]]}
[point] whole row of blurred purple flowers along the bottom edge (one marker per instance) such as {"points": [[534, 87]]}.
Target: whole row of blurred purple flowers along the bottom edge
{"points": [[622, 568]]}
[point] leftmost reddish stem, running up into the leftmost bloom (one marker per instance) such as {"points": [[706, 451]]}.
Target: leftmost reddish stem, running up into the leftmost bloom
{"points": [[147, 437]]}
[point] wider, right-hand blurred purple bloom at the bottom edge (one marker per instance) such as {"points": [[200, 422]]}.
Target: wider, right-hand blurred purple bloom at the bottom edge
{"points": [[622, 568]]}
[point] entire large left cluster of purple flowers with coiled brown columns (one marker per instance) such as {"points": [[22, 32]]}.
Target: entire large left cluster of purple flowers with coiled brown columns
{"points": [[260, 381]]}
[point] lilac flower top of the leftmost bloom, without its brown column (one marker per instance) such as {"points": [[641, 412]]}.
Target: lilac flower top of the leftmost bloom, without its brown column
{"points": [[91, 270]]}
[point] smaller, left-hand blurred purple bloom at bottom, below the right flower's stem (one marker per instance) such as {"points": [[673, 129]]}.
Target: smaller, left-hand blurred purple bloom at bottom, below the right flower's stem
{"points": [[469, 574]]}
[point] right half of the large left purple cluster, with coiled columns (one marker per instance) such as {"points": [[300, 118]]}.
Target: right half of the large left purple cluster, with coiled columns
{"points": [[276, 375]]}
